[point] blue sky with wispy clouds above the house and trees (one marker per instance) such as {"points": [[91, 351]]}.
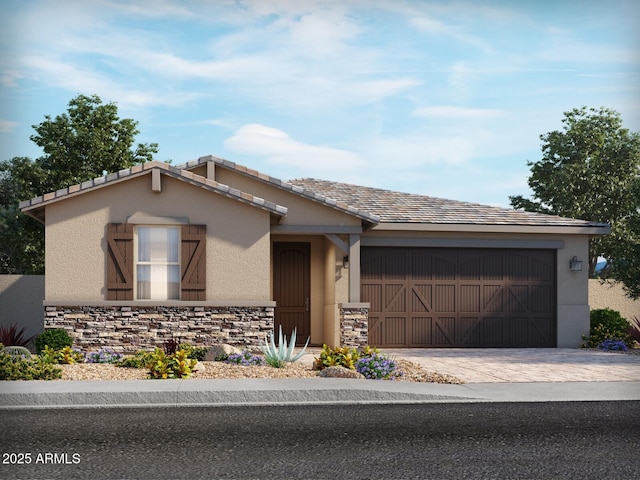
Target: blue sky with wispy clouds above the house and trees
{"points": [[438, 98]]}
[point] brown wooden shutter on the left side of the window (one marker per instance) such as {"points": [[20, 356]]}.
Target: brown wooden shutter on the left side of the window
{"points": [[119, 261]]}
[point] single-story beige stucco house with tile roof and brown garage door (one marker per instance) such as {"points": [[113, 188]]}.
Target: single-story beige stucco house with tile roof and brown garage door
{"points": [[212, 251]]}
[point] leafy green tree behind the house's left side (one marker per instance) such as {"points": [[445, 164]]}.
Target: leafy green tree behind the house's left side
{"points": [[84, 143]]}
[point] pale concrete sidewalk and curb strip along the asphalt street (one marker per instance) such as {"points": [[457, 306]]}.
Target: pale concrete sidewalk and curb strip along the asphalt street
{"points": [[191, 392]]}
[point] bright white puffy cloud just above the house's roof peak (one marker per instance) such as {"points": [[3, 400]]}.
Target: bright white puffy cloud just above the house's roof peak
{"points": [[277, 148]]}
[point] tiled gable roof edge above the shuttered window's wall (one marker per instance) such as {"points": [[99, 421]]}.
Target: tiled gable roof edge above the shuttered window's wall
{"points": [[35, 206]]}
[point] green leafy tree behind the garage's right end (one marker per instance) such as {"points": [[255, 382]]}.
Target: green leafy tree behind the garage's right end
{"points": [[591, 171]]}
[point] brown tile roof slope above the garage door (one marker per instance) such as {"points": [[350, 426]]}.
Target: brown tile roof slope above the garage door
{"points": [[397, 207]]}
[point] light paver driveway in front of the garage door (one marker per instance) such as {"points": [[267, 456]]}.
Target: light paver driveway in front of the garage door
{"points": [[526, 365]]}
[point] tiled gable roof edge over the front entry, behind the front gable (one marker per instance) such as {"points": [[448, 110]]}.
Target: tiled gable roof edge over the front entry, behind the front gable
{"points": [[315, 196]]}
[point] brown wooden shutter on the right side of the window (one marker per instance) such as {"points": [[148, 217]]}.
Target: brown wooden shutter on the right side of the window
{"points": [[194, 266]]}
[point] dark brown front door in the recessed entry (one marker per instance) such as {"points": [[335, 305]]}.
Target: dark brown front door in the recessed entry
{"points": [[291, 289]]}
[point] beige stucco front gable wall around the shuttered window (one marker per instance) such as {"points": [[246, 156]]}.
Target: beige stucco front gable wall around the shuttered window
{"points": [[237, 247]]}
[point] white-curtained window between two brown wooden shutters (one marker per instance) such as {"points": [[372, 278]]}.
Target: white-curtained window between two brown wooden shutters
{"points": [[157, 263]]}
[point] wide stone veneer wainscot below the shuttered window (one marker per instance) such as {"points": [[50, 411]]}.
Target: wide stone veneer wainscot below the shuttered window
{"points": [[128, 329]]}
